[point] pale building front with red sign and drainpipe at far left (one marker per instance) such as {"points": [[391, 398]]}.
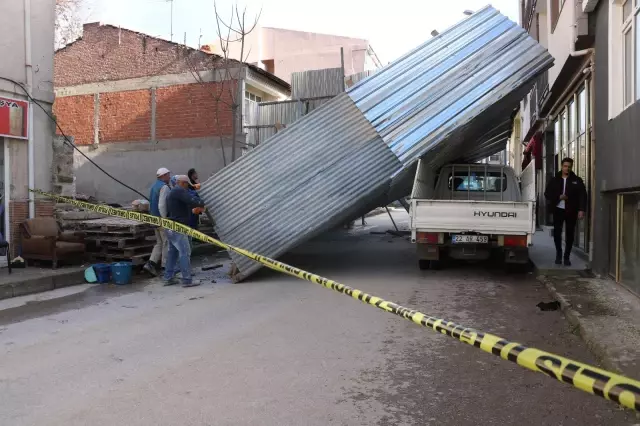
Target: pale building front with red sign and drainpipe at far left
{"points": [[26, 132]]}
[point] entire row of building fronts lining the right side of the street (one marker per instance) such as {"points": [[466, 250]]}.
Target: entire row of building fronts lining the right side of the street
{"points": [[586, 107]]}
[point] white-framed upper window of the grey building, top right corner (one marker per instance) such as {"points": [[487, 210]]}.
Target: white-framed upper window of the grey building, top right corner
{"points": [[624, 54]]}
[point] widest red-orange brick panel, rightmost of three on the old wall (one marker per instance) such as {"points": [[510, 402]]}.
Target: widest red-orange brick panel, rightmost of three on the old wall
{"points": [[189, 111]]}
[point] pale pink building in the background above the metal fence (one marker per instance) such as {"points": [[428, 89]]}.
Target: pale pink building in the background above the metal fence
{"points": [[283, 52]]}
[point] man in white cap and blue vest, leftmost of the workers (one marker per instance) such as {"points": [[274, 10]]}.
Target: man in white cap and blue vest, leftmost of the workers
{"points": [[158, 207]]}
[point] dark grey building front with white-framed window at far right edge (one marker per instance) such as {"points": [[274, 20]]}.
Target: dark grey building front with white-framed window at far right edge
{"points": [[617, 151]]}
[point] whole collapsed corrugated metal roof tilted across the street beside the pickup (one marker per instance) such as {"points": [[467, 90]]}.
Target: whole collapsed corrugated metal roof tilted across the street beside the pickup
{"points": [[448, 99]]}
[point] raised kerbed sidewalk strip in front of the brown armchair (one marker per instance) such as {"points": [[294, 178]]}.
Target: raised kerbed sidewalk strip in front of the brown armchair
{"points": [[35, 280]]}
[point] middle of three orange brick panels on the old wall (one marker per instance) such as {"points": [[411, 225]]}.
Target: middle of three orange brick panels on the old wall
{"points": [[125, 116]]}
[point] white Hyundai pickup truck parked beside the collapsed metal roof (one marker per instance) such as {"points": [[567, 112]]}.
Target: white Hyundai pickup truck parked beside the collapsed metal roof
{"points": [[472, 211]]}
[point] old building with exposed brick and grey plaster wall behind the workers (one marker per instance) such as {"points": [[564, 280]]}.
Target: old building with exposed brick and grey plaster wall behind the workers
{"points": [[135, 102]]}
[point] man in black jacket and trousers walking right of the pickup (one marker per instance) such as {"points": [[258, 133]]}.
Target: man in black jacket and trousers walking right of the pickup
{"points": [[568, 196]]}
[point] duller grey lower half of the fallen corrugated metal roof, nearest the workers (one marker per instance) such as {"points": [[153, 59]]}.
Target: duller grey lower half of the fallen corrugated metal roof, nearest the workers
{"points": [[300, 182]]}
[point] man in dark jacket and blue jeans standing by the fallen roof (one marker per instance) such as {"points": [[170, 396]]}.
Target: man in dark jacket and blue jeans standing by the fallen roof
{"points": [[180, 203]]}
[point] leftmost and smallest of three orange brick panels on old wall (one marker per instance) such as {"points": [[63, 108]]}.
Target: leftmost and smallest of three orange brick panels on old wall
{"points": [[75, 116]]}
